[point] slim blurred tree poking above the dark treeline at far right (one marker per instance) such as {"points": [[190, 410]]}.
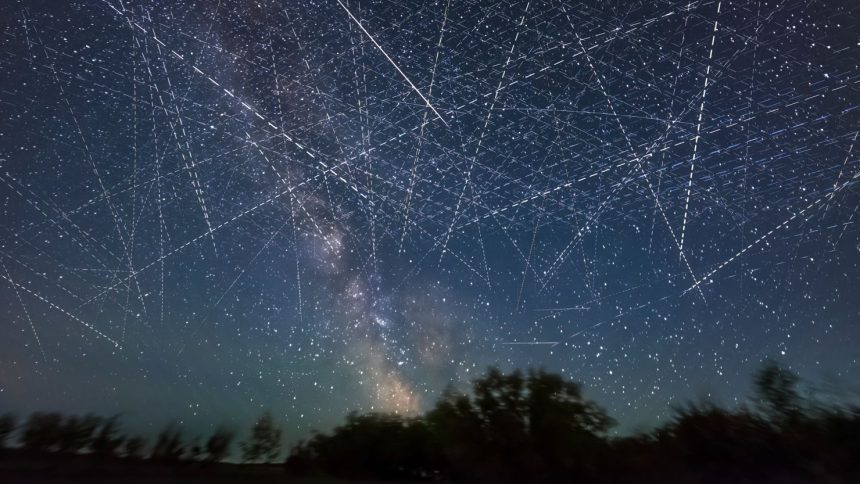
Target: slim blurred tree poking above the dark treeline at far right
{"points": [[776, 394]]}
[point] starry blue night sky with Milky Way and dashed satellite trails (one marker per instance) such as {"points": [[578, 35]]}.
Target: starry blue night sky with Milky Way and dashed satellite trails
{"points": [[213, 208]]}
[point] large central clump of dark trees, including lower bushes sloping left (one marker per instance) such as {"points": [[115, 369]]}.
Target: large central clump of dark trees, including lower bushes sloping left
{"points": [[514, 428]]}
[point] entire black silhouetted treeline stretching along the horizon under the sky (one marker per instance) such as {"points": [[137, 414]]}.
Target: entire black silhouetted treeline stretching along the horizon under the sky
{"points": [[515, 427]]}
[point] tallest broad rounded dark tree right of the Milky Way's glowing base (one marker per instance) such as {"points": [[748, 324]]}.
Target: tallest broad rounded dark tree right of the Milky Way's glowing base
{"points": [[518, 427]]}
